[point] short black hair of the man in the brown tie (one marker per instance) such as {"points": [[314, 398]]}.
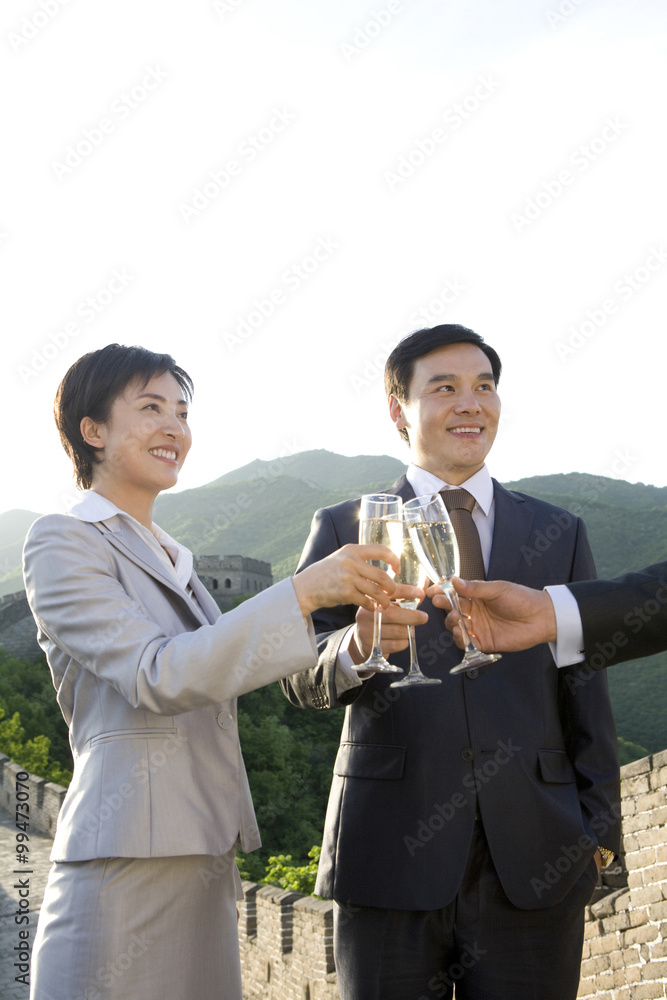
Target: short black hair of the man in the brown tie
{"points": [[400, 365]]}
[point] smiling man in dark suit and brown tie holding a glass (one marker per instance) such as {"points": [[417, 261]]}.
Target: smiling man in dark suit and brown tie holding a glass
{"points": [[464, 820]]}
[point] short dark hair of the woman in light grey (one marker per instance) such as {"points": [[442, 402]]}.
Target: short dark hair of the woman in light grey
{"points": [[90, 387]]}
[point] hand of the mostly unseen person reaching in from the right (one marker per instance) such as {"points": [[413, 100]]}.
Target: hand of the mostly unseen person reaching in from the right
{"points": [[502, 616]]}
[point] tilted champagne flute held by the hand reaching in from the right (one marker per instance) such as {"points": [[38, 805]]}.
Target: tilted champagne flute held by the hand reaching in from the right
{"points": [[434, 540]]}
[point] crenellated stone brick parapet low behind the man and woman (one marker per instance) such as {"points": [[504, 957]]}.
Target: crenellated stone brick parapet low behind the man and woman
{"points": [[286, 939]]}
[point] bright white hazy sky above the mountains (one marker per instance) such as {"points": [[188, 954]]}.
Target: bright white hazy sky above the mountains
{"points": [[381, 166]]}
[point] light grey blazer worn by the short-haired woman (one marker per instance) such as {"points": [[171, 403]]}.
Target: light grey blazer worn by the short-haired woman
{"points": [[147, 683]]}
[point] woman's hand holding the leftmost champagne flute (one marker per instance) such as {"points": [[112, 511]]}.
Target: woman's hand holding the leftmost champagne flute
{"points": [[345, 577]]}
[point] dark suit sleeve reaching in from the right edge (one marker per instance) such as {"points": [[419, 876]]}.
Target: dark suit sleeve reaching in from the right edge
{"points": [[624, 618]]}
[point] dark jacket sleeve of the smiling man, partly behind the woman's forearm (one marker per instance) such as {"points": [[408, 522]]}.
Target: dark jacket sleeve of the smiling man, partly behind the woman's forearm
{"points": [[316, 688]]}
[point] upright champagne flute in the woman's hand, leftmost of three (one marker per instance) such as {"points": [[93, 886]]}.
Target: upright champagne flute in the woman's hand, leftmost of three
{"points": [[380, 523]]}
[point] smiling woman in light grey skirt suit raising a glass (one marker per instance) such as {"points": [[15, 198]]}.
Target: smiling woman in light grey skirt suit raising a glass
{"points": [[140, 901]]}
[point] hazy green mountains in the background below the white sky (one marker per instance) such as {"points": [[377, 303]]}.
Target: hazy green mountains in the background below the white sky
{"points": [[264, 510]]}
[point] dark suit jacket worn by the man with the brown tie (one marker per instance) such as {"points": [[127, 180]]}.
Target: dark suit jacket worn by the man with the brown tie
{"points": [[535, 751]]}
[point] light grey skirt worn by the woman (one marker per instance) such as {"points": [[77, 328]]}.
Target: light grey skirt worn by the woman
{"points": [[139, 929]]}
